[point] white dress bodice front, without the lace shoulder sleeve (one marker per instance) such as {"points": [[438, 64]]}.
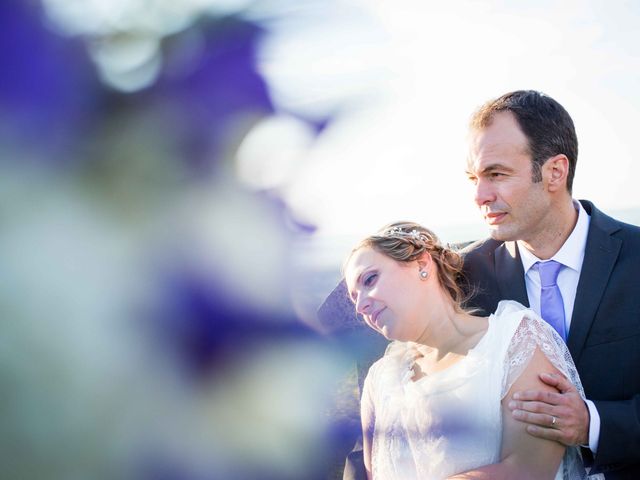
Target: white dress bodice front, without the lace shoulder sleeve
{"points": [[428, 429]]}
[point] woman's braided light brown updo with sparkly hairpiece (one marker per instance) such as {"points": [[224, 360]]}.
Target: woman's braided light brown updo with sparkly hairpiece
{"points": [[407, 241]]}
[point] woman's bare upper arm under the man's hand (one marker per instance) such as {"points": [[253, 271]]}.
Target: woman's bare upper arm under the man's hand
{"points": [[523, 456]]}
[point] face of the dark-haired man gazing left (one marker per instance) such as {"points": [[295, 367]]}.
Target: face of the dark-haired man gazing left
{"points": [[499, 165]]}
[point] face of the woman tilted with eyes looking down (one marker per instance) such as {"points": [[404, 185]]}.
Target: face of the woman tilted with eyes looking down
{"points": [[388, 294]]}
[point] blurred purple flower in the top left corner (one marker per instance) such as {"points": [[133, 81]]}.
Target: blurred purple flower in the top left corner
{"points": [[49, 92]]}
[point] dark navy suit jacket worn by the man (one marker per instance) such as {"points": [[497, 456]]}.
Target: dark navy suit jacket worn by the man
{"points": [[604, 337]]}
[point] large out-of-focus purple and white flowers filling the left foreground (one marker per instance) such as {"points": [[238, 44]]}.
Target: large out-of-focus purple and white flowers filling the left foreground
{"points": [[147, 329]]}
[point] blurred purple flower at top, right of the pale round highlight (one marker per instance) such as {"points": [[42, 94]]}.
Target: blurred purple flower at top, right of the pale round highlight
{"points": [[215, 87]]}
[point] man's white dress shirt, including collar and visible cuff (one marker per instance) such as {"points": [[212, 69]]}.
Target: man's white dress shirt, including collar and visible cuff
{"points": [[571, 256]]}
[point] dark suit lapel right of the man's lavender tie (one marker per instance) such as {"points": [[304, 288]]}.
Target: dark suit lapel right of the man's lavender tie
{"points": [[601, 253]]}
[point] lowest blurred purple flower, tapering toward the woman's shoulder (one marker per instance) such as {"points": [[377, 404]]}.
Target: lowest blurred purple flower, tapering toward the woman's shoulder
{"points": [[208, 329]]}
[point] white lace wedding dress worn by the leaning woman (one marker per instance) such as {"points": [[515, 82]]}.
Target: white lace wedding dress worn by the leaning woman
{"points": [[450, 421]]}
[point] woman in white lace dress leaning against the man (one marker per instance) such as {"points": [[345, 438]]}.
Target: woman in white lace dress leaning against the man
{"points": [[435, 406]]}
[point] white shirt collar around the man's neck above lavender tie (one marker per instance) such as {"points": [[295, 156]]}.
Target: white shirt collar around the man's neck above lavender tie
{"points": [[571, 254]]}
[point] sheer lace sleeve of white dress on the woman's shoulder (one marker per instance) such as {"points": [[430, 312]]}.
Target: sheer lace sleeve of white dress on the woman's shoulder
{"points": [[531, 332]]}
